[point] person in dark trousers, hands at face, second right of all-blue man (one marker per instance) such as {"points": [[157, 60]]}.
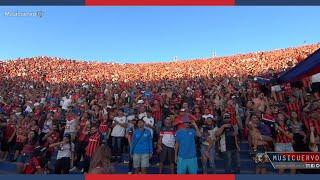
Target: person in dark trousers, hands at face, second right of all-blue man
{"points": [[229, 145]]}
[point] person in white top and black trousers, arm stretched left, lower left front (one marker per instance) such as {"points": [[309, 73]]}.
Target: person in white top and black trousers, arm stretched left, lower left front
{"points": [[65, 155]]}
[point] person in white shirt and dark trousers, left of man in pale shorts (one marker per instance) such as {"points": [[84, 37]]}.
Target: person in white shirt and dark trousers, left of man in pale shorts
{"points": [[119, 125]]}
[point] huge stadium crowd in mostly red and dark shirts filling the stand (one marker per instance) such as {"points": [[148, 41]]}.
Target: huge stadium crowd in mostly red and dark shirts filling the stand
{"points": [[58, 115]]}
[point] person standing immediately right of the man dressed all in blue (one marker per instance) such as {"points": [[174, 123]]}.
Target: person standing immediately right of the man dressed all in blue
{"points": [[208, 139]]}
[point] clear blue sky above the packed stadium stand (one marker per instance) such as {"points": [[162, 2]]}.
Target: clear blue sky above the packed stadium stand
{"points": [[148, 34]]}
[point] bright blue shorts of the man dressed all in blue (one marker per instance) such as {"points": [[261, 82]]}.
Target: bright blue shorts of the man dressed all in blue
{"points": [[187, 165]]}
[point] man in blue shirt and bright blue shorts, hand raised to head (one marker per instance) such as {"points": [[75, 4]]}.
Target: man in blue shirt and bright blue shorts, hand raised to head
{"points": [[185, 148]]}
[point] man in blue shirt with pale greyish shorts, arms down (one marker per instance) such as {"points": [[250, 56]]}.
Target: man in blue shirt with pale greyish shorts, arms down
{"points": [[141, 148]]}
